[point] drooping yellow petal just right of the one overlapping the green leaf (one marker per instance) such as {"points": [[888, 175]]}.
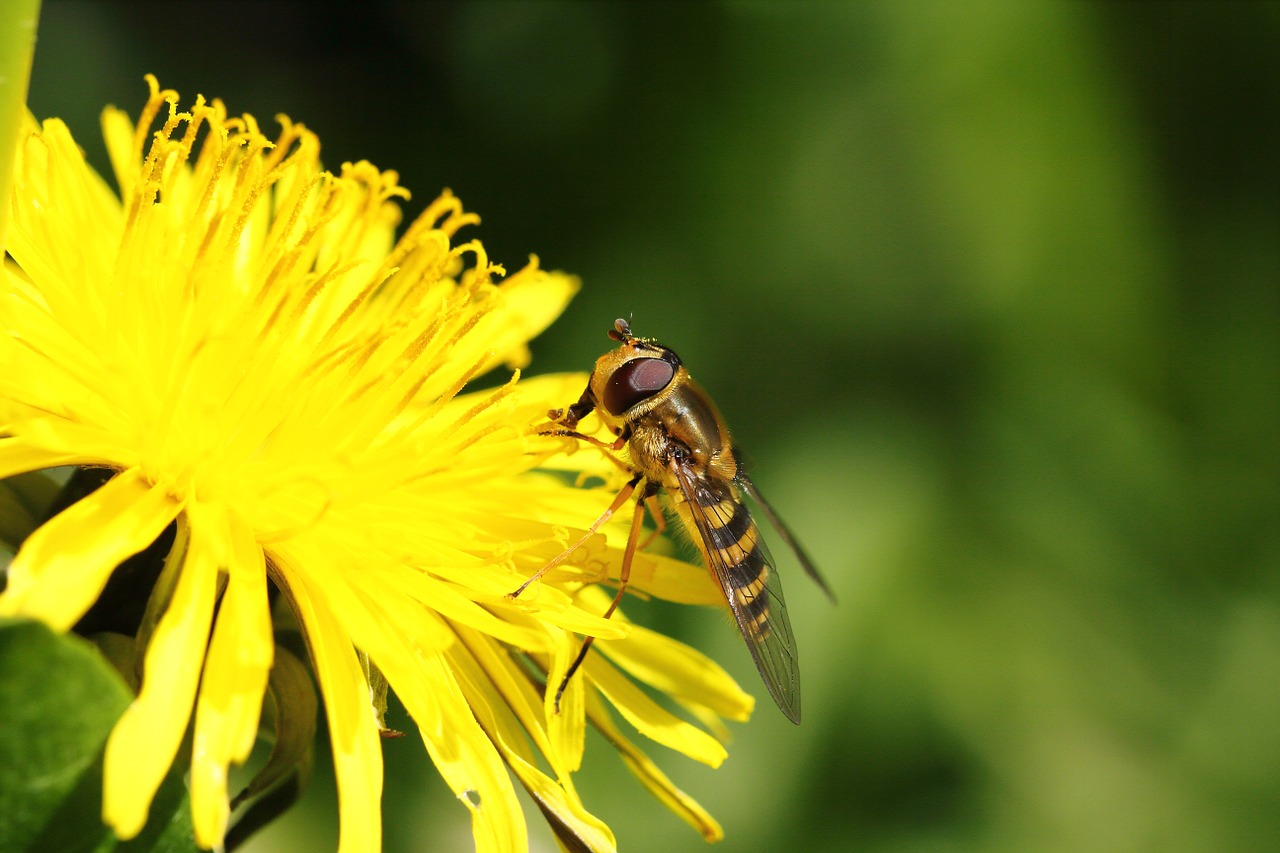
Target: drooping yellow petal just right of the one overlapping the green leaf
{"points": [[235, 678]]}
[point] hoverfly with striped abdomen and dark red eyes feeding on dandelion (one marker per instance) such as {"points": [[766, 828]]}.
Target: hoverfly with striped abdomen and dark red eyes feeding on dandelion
{"points": [[678, 445]]}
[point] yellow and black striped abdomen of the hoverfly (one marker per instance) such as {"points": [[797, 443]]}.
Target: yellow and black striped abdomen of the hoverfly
{"points": [[734, 545]]}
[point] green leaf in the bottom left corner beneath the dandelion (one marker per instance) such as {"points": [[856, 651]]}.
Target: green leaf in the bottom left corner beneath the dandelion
{"points": [[60, 700]]}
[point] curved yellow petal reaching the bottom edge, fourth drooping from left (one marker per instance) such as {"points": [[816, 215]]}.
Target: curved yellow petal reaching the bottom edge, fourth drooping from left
{"points": [[358, 755]]}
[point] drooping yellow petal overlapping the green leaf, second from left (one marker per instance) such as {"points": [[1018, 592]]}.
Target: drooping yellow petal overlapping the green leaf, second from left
{"points": [[144, 743]]}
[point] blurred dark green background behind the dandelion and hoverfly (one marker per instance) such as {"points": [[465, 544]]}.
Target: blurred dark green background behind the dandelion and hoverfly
{"points": [[991, 294]]}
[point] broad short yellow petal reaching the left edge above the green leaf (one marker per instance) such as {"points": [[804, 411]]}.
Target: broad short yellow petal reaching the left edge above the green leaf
{"points": [[66, 563]]}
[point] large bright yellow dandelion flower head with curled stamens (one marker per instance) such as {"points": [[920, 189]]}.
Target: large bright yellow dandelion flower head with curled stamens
{"points": [[240, 339]]}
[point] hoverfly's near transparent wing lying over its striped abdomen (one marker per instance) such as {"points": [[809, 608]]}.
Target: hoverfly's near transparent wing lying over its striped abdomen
{"points": [[742, 564]]}
